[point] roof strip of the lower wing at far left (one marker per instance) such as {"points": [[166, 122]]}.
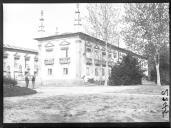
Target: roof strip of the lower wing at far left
{"points": [[14, 48]]}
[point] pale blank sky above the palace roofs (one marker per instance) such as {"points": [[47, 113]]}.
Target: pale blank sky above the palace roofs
{"points": [[21, 21]]}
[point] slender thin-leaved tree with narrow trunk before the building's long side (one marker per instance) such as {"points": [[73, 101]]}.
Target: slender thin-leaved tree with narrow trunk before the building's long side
{"points": [[102, 22]]}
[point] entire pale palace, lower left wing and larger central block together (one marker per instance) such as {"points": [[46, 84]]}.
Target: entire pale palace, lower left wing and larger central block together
{"points": [[65, 57]]}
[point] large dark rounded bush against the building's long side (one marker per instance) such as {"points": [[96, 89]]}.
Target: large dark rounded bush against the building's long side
{"points": [[128, 72]]}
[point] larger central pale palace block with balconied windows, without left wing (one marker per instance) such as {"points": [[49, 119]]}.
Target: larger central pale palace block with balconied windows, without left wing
{"points": [[73, 56]]}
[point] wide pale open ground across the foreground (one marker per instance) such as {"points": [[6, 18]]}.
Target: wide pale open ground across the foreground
{"points": [[87, 104]]}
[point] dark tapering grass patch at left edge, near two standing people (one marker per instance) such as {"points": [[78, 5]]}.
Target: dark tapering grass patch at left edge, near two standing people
{"points": [[16, 91]]}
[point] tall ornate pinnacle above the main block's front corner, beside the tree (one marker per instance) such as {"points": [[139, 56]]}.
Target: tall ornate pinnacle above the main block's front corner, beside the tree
{"points": [[77, 21]]}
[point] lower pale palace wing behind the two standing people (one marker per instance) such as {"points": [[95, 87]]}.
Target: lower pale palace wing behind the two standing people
{"points": [[17, 61]]}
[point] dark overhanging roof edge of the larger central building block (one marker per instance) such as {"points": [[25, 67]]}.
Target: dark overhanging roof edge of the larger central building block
{"points": [[90, 38]]}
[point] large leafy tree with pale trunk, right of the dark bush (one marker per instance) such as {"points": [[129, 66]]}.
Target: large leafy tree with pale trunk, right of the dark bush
{"points": [[148, 30]]}
